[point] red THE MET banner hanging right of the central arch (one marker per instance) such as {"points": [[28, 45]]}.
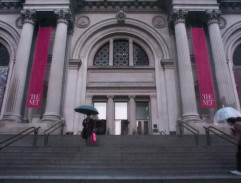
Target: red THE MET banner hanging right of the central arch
{"points": [[203, 69]]}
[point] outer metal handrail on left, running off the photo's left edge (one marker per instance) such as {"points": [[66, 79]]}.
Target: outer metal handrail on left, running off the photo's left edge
{"points": [[18, 137]]}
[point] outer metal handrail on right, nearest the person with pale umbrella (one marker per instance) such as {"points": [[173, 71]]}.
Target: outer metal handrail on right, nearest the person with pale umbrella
{"points": [[227, 137]]}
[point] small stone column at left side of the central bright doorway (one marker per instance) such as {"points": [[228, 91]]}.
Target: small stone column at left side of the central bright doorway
{"points": [[110, 114]]}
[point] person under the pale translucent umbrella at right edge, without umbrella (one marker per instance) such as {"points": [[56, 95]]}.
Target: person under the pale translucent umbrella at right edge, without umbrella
{"points": [[235, 124]]}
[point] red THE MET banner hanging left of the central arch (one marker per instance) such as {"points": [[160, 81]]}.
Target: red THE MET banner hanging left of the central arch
{"points": [[38, 71]]}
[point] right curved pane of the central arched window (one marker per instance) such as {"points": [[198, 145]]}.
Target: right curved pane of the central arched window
{"points": [[139, 55]]}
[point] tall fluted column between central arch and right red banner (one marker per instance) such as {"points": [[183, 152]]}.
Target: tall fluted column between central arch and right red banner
{"points": [[188, 99]]}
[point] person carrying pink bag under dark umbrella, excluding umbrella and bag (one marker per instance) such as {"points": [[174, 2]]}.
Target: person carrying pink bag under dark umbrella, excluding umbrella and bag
{"points": [[88, 127]]}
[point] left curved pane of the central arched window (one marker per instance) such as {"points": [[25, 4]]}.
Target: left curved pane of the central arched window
{"points": [[102, 56]]}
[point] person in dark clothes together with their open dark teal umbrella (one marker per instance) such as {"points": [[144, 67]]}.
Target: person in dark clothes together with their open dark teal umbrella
{"points": [[88, 123]]}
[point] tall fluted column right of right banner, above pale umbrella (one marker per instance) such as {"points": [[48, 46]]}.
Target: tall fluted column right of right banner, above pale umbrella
{"points": [[224, 81]]}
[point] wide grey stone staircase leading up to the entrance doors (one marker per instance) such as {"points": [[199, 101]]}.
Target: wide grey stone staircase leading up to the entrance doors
{"points": [[153, 158]]}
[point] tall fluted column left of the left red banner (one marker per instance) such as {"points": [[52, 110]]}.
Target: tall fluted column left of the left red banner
{"points": [[17, 86]]}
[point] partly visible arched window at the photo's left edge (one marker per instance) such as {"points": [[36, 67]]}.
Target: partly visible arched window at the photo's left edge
{"points": [[4, 61]]}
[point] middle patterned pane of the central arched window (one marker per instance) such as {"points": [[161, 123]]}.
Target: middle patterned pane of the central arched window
{"points": [[121, 53]]}
